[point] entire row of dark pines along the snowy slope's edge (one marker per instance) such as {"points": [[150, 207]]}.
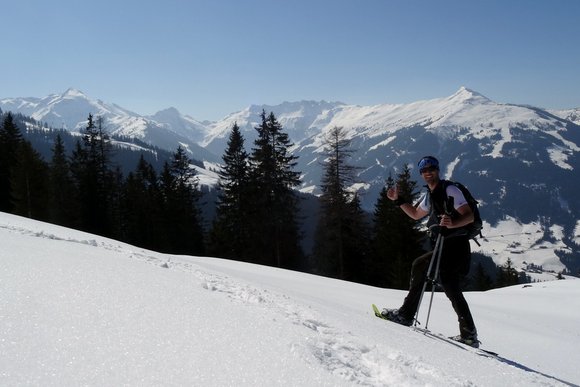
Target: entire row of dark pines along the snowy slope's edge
{"points": [[257, 212]]}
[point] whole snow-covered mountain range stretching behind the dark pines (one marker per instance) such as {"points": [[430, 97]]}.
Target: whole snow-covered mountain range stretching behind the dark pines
{"points": [[520, 162]]}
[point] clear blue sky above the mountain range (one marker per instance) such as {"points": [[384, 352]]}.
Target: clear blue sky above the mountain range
{"points": [[211, 58]]}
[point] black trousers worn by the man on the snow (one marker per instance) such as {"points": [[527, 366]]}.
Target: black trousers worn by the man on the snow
{"points": [[455, 262]]}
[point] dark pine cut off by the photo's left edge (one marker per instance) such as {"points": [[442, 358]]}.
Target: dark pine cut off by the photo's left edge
{"points": [[10, 140]]}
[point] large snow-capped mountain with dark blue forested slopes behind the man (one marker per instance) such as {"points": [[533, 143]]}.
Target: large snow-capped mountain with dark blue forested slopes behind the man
{"points": [[519, 161]]}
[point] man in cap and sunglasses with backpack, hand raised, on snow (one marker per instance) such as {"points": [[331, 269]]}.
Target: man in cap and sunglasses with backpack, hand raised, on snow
{"points": [[456, 253]]}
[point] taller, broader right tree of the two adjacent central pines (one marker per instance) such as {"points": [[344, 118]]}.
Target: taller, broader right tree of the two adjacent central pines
{"points": [[275, 235]]}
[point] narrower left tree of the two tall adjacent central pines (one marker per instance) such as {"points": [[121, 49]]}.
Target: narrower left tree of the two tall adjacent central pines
{"points": [[230, 236]]}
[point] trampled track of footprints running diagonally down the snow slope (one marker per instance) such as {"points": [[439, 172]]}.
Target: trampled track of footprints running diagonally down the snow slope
{"points": [[340, 352]]}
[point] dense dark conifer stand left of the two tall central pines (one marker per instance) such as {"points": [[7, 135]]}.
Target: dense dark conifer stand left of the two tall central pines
{"points": [[86, 191]]}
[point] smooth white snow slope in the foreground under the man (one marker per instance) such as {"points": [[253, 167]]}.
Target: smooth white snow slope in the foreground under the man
{"points": [[76, 309]]}
